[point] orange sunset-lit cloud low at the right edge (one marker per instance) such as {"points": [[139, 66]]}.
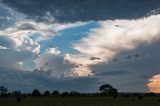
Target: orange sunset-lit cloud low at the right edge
{"points": [[154, 84]]}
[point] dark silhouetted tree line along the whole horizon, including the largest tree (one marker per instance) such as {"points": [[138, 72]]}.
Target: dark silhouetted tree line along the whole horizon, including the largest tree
{"points": [[104, 90]]}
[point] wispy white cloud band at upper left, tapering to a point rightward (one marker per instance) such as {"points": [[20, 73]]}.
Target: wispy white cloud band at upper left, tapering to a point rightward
{"points": [[40, 30]]}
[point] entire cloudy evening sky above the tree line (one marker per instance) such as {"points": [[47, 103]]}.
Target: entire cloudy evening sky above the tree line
{"points": [[79, 45]]}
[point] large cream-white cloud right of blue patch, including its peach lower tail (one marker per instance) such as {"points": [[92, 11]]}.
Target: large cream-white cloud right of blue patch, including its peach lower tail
{"points": [[111, 39]]}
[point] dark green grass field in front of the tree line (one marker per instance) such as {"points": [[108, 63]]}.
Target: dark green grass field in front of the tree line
{"points": [[81, 101]]}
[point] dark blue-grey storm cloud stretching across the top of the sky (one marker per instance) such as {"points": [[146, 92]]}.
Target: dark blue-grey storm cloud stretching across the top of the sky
{"points": [[84, 10]]}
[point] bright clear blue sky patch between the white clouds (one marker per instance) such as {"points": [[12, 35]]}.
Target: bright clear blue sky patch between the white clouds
{"points": [[72, 35]]}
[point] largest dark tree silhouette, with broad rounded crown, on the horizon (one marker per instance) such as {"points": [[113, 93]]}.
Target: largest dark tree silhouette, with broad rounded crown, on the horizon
{"points": [[107, 89]]}
